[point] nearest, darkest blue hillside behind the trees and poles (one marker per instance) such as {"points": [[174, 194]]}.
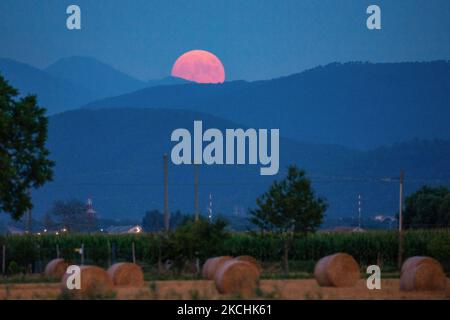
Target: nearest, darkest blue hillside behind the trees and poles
{"points": [[115, 156]]}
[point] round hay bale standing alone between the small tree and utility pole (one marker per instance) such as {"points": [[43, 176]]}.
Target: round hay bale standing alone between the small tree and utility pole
{"points": [[337, 270]]}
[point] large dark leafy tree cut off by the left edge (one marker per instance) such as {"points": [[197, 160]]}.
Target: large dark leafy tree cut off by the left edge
{"points": [[24, 162]]}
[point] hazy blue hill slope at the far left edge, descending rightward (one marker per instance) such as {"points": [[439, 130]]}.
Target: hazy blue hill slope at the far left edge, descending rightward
{"points": [[54, 94]]}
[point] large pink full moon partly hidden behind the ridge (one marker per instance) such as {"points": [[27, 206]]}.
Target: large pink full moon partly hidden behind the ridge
{"points": [[200, 66]]}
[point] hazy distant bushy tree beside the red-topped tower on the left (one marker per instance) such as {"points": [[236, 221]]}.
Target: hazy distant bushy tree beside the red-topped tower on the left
{"points": [[72, 216]]}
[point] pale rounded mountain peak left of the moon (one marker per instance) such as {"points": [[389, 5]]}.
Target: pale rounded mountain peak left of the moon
{"points": [[97, 76]]}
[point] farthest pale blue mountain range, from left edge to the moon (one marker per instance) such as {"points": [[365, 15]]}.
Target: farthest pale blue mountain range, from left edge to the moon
{"points": [[72, 82]]}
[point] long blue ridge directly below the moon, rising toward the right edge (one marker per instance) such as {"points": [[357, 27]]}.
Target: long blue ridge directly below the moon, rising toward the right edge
{"points": [[361, 105]]}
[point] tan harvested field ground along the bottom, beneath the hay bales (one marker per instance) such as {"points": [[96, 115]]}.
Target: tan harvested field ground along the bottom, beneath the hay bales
{"points": [[202, 289]]}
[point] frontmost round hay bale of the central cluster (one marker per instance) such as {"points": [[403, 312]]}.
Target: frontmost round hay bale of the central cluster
{"points": [[237, 277]]}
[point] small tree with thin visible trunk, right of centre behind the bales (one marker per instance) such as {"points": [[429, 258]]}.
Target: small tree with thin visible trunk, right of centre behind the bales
{"points": [[289, 208]]}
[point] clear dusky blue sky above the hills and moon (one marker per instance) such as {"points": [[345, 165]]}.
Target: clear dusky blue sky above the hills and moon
{"points": [[254, 39]]}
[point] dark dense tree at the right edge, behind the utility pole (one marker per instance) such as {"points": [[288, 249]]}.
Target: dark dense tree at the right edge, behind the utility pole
{"points": [[428, 207]]}
